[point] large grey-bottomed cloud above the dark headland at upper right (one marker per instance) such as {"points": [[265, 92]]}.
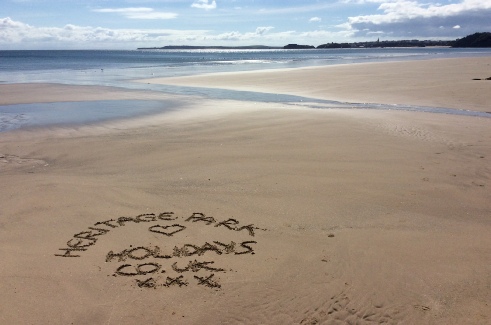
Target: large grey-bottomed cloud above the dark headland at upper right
{"points": [[422, 19]]}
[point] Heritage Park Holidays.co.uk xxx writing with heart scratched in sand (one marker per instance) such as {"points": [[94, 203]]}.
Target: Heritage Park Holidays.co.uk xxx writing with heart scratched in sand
{"points": [[155, 266]]}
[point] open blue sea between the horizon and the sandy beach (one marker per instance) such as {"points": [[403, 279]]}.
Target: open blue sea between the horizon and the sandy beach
{"points": [[85, 67]]}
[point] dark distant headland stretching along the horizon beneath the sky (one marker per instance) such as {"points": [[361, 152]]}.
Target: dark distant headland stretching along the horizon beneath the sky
{"points": [[474, 40]]}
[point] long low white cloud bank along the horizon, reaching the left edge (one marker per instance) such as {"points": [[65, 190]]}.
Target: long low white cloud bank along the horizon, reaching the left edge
{"points": [[18, 35]]}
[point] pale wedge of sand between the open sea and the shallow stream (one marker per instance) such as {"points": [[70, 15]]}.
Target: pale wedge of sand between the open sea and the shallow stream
{"points": [[447, 82]]}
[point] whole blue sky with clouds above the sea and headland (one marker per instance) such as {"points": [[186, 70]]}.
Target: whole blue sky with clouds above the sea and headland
{"points": [[128, 24]]}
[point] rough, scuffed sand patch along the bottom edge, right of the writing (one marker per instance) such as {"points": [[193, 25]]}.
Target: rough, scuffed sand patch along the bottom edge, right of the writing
{"points": [[329, 302]]}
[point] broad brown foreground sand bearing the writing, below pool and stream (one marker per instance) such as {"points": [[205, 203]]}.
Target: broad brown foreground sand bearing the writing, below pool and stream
{"points": [[353, 217]]}
